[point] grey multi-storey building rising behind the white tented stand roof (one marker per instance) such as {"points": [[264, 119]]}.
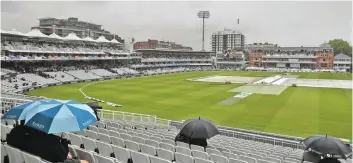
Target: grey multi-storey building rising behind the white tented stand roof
{"points": [[82, 29]]}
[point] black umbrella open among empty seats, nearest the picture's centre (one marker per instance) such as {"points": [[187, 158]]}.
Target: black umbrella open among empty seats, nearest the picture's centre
{"points": [[198, 129]]}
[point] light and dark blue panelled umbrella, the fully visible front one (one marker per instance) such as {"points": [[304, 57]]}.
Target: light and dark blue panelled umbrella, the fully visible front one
{"points": [[65, 116]]}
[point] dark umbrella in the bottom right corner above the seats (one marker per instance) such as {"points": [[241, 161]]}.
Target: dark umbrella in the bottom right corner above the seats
{"points": [[327, 147]]}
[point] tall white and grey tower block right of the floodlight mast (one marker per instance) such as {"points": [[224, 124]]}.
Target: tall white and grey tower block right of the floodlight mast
{"points": [[226, 40]]}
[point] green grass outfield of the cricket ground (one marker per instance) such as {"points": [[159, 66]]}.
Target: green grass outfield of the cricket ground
{"points": [[298, 111]]}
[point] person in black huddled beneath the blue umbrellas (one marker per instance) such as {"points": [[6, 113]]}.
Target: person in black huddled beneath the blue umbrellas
{"points": [[47, 146]]}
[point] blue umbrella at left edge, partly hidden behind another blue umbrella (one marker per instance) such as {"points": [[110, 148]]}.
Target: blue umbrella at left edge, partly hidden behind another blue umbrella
{"points": [[19, 112]]}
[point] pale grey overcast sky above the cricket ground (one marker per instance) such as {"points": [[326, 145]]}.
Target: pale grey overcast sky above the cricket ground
{"points": [[283, 23]]}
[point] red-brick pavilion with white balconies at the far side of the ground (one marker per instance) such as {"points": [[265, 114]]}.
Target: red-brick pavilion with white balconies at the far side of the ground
{"points": [[292, 57]]}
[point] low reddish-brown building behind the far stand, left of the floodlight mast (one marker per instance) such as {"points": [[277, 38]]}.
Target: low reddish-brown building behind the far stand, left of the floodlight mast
{"points": [[155, 44]]}
